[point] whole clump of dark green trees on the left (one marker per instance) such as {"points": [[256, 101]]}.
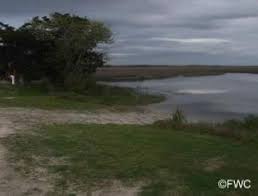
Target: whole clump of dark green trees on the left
{"points": [[60, 47]]}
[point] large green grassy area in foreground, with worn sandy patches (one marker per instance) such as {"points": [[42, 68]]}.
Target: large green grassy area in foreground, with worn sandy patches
{"points": [[179, 159]]}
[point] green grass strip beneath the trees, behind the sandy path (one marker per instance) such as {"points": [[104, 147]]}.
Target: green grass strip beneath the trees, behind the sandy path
{"points": [[99, 97]]}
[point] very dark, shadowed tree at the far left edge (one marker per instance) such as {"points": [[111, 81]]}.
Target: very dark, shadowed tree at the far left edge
{"points": [[20, 53]]}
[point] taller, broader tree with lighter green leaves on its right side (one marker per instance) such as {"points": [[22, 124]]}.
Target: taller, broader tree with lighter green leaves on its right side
{"points": [[73, 44]]}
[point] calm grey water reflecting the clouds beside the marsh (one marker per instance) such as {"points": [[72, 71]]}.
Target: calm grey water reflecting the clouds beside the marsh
{"points": [[212, 98]]}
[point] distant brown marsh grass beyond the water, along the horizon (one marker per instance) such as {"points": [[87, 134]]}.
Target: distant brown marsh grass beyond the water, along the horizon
{"points": [[114, 73]]}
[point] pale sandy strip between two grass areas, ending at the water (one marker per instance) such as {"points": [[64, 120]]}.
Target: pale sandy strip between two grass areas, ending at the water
{"points": [[28, 116]]}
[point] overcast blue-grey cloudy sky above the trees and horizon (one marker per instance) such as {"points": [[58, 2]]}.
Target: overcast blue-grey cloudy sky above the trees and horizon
{"points": [[161, 32]]}
